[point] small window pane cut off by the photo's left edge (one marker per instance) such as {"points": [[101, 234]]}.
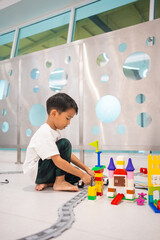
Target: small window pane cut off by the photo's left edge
{"points": [[6, 41]]}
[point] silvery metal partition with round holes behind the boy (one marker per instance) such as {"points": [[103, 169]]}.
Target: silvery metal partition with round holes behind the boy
{"points": [[114, 78]]}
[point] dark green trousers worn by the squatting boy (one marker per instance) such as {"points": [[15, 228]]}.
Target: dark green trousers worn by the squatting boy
{"points": [[47, 170]]}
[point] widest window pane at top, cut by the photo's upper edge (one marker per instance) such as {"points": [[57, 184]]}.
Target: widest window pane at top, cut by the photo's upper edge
{"points": [[95, 19]]}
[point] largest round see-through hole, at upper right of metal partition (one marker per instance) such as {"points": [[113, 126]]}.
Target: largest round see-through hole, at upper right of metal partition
{"points": [[137, 66]]}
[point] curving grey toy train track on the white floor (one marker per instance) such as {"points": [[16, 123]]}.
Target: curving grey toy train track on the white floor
{"points": [[64, 222]]}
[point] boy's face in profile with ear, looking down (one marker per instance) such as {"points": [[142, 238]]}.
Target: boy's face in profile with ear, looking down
{"points": [[62, 120]]}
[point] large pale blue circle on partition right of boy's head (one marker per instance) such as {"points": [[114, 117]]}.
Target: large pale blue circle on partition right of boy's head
{"points": [[108, 109]]}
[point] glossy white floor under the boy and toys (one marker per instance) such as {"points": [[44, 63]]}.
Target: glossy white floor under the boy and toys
{"points": [[24, 211]]}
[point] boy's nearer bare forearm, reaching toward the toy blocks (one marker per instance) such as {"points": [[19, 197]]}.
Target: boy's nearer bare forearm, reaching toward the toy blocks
{"points": [[64, 165]]}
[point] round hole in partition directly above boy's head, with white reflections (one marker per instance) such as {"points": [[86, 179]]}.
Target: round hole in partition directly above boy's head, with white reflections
{"points": [[58, 79]]}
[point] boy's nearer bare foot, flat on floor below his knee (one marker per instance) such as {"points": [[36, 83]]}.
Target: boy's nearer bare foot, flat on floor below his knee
{"points": [[64, 186]]}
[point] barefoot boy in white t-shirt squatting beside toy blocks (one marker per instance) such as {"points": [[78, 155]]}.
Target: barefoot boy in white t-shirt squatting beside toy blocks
{"points": [[48, 155]]}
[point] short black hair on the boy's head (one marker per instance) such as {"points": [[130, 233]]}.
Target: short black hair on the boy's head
{"points": [[61, 102]]}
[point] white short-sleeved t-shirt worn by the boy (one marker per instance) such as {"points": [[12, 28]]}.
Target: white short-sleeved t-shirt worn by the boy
{"points": [[42, 145]]}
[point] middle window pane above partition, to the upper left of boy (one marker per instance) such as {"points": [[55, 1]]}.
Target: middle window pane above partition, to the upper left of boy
{"points": [[45, 34]]}
